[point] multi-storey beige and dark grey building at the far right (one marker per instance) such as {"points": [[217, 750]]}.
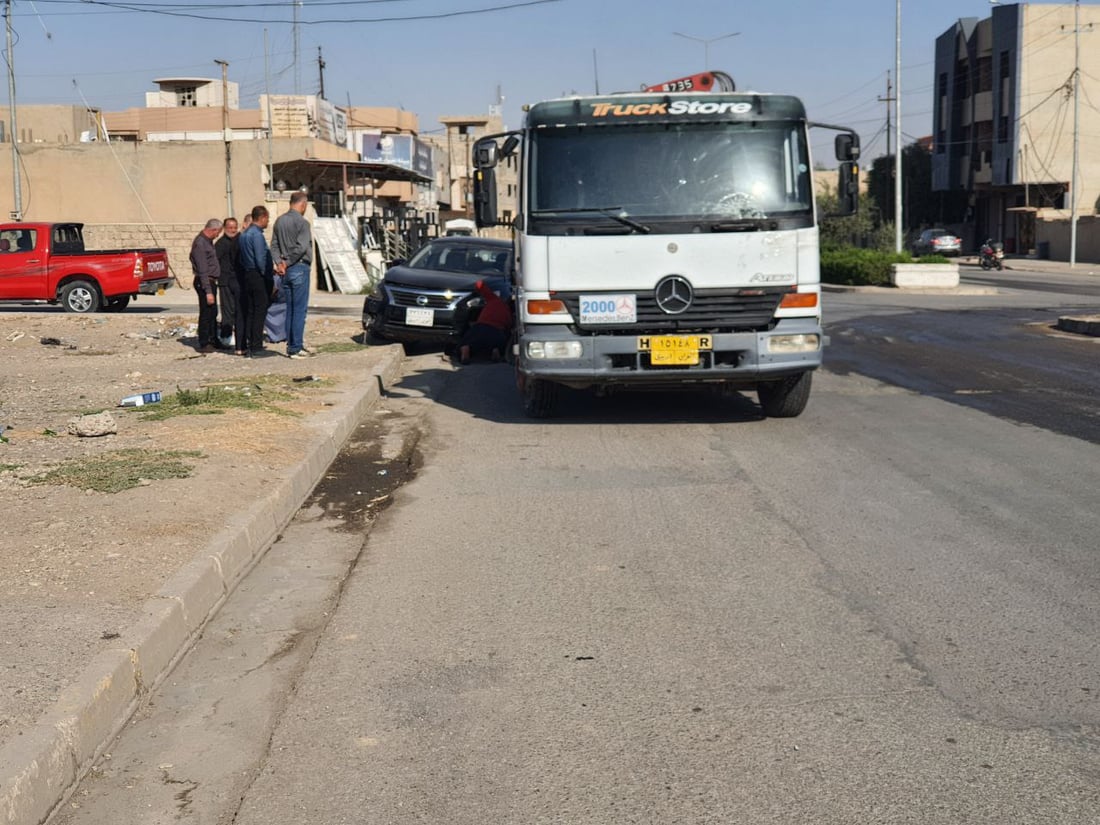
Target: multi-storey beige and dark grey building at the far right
{"points": [[1004, 119]]}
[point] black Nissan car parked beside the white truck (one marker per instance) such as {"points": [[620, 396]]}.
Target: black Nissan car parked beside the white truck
{"points": [[432, 296]]}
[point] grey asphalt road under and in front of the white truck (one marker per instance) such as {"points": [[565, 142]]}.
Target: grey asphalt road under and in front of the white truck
{"points": [[667, 610]]}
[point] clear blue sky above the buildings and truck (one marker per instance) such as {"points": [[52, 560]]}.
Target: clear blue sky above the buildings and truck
{"points": [[834, 54]]}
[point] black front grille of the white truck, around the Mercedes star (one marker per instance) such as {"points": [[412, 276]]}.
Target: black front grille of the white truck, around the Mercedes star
{"points": [[711, 311]]}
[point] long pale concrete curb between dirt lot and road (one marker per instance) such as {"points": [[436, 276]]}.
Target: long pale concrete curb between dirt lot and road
{"points": [[40, 769]]}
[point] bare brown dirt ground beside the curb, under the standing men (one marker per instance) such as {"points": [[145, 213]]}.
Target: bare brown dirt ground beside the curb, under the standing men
{"points": [[76, 565]]}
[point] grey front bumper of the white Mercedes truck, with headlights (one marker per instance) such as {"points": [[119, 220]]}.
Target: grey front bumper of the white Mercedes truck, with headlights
{"points": [[738, 359]]}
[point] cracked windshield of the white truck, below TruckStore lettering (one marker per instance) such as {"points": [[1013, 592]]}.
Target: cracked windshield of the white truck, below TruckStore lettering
{"points": [[710, 172]]}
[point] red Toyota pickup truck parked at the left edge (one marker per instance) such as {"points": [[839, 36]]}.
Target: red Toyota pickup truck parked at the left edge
{"points": [[48, 262]]}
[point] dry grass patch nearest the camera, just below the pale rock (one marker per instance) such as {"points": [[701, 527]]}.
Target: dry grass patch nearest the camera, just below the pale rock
{"points": [[119, 470]]}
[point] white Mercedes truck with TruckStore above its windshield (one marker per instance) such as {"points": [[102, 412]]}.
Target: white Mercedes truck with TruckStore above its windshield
{"points": [[666, 240]]}
